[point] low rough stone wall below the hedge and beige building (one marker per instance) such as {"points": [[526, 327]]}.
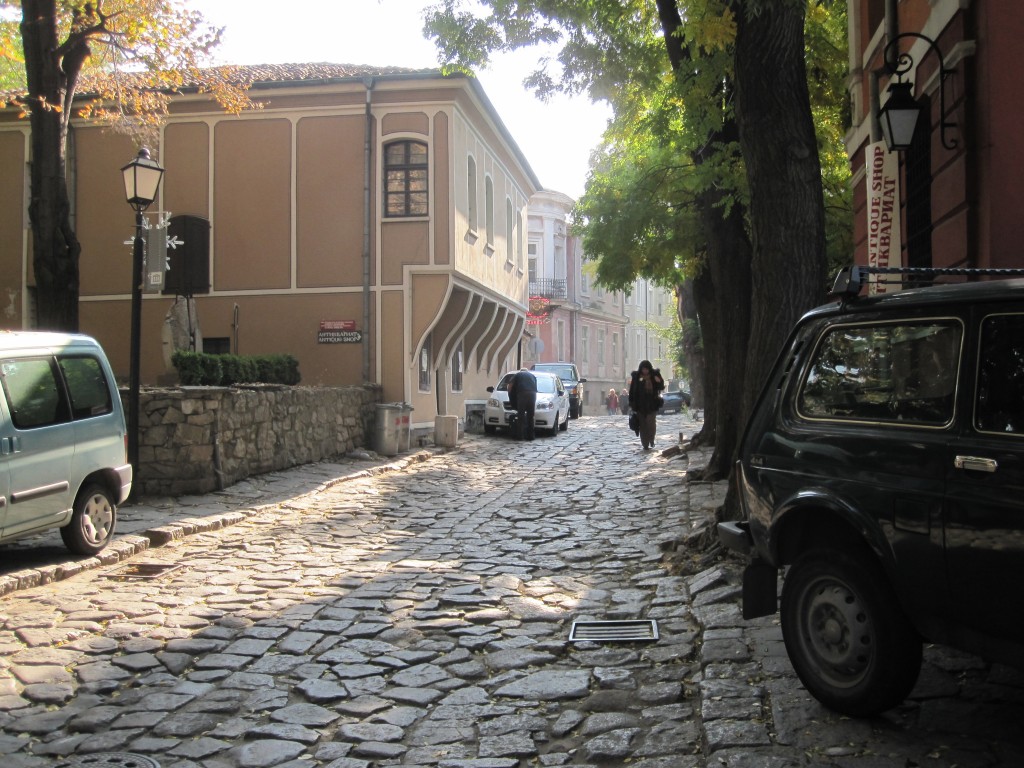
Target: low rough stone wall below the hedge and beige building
{"points": [[197, 440]]}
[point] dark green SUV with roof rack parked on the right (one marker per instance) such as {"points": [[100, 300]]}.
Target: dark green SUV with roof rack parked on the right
{"points": [[884, 466]]}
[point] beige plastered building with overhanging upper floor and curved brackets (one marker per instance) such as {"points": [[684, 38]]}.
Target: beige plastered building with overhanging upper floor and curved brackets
{"points": [[436, 262]]}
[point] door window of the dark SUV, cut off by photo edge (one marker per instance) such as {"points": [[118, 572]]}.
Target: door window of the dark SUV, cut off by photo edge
{"points": [[1000, 406]]}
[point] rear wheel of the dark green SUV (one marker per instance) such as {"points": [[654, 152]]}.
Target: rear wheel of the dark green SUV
{"points": [[848, 639]]}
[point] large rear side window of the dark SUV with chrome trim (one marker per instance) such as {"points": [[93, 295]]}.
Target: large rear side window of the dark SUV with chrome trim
{"points": [[904, 373]]}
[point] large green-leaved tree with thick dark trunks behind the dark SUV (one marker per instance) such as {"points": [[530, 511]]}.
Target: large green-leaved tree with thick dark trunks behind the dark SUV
{"points": [[712, 173]]}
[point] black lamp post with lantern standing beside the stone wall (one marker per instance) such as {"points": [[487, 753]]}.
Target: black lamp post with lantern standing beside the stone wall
{"points": [[143, 178]]}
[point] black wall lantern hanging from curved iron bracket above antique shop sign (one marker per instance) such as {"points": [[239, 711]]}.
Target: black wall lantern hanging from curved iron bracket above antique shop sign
{"points": [[900, 115]]}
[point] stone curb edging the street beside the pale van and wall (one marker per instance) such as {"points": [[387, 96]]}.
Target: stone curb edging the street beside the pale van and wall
{"points": [[130, 545]]}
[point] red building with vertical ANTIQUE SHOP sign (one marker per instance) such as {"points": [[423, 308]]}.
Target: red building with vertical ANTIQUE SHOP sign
{"points": [[958, 186]]}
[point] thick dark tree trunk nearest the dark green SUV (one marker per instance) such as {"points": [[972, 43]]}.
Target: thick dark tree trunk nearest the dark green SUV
{"points": [[777, 137]]}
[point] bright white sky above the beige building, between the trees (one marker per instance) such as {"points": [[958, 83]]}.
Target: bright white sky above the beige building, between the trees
{"points": [[557, 138]]}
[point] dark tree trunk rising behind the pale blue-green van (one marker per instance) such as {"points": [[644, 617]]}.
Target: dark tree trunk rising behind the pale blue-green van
{"points": [[55, 246]]}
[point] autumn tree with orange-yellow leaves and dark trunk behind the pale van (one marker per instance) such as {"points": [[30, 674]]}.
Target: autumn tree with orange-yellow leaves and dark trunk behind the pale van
{"points": [[129, 57]]}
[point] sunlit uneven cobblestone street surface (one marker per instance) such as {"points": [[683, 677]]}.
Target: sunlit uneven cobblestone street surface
{"points": [[420, 616]]}
